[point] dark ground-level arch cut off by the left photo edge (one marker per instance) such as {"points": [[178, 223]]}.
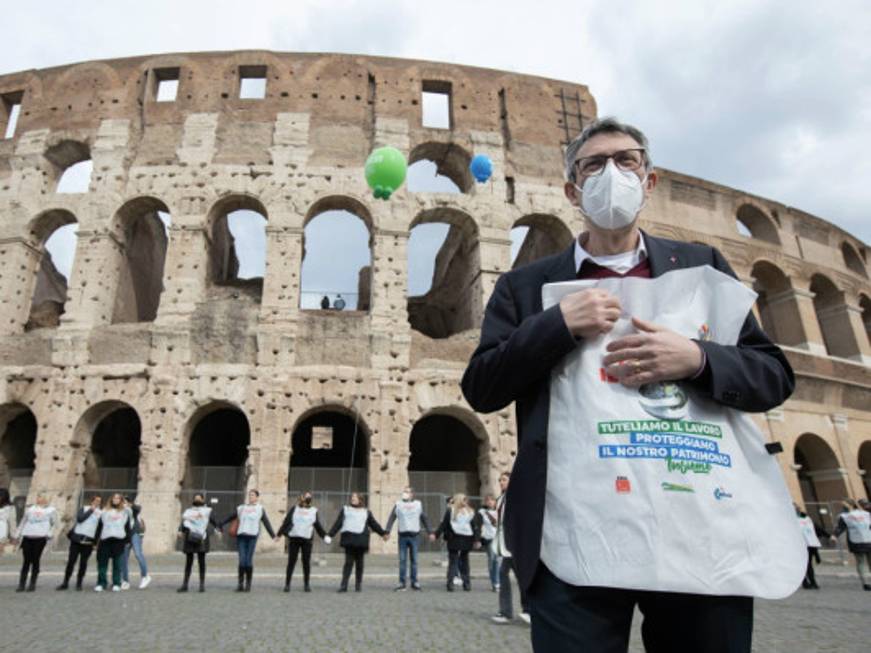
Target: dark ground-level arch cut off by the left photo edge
{"points": [[18, 431]]}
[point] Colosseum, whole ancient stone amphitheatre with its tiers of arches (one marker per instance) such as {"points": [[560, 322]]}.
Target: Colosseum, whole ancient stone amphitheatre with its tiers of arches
{"points": [[150, 363]]}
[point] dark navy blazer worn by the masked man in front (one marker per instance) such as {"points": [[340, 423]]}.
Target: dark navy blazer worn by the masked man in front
{"points": [[520, 343]]}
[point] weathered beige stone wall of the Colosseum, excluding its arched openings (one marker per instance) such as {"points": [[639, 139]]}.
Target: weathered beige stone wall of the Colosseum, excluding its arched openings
{"points": [[299, 151]]}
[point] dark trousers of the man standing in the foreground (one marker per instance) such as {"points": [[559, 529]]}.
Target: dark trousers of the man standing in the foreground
{"points": [[598, 619]]}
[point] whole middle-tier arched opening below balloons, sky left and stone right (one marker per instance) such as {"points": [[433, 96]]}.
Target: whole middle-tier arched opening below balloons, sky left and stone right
{"points": [[443, 273]]}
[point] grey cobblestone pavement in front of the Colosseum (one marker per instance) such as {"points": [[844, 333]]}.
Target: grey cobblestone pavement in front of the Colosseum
{"points": [[833, 620]]}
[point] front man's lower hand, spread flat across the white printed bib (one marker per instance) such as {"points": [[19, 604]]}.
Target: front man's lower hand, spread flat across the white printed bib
{"points": [[655, 354]]}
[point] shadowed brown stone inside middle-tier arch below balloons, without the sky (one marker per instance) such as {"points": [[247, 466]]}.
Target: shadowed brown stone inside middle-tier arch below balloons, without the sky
{"points": [[453, 302]]}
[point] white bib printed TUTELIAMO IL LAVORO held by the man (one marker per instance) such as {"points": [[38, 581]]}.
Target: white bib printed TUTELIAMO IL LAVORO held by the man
{"points": [[658, 488]]}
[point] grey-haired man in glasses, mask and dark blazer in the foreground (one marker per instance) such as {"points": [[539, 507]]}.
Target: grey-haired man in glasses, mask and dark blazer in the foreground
{"points": [[609, 177]]}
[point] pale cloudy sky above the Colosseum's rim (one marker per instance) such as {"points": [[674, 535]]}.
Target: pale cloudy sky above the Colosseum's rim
{"points": [[770, 97]]}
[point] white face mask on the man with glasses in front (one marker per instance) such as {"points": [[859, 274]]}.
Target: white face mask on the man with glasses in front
{"points": [[612, 199]]}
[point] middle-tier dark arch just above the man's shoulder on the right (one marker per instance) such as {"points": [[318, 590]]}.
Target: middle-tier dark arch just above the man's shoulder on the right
{"points": [[776, 302]]}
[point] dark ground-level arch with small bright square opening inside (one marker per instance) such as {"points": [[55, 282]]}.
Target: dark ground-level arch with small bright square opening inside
{"points": [[330, 451]]}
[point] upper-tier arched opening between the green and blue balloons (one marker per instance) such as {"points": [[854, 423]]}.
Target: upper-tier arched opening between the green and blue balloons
{"points": [[439, 168]]}
